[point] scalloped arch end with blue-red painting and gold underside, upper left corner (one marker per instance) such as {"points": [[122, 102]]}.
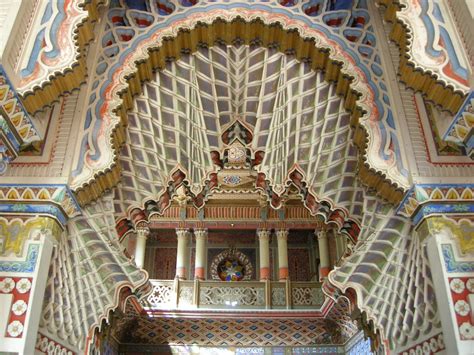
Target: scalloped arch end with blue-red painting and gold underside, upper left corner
{"points": [[55, 59]]}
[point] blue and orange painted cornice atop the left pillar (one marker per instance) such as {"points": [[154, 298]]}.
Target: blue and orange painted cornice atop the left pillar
{"points": [[56, 201]]}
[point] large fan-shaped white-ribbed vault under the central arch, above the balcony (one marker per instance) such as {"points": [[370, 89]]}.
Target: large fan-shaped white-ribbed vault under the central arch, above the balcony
{"points": [[296, 118]]}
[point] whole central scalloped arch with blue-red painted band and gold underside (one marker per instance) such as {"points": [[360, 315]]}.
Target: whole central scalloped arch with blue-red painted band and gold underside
{"points": [[380, 164]]}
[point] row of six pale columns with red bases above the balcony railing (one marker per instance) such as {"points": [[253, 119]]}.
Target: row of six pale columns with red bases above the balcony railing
{"points": [[184, 237]]}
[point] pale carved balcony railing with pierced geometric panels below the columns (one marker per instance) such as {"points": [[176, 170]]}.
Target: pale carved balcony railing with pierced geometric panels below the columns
{"points": [[245, 295]]}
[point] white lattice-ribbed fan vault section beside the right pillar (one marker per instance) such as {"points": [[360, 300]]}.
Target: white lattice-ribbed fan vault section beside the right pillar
{"points": [[390, 272]]}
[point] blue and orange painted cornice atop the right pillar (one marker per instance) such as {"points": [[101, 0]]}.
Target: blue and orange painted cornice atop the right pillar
{"points": [[424, 200]]}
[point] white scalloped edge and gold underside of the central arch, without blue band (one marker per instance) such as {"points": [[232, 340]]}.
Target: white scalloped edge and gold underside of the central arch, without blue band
{"points": [[269, 29]]}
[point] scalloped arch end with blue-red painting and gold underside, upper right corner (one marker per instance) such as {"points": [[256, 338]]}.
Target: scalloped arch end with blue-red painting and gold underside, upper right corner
{"points": [[432, 57]]}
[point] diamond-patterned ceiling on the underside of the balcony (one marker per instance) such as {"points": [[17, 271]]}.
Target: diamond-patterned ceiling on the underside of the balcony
{"points": [[336, 328]]}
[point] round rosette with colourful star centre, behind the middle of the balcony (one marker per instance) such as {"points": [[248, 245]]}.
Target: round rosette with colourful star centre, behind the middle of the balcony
{"points": [[231, 265]]}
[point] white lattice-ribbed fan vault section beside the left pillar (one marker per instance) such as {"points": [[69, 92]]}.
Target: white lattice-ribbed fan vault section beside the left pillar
{"points": [[86, 273]]}
